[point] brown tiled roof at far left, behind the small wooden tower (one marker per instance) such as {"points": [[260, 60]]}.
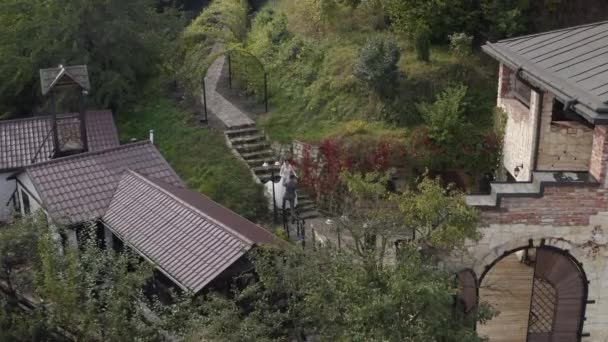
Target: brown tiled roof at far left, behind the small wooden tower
{"points": [[22, 139]]}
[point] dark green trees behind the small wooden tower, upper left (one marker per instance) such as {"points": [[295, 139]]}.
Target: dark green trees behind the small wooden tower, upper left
{"points": [[122, 43]]}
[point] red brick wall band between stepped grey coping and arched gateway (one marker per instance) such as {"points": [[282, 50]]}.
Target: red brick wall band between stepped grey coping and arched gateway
{"points": [[561, 205]]}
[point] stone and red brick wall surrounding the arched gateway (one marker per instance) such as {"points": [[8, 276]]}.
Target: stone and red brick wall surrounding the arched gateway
{"points": [[571, 217]]}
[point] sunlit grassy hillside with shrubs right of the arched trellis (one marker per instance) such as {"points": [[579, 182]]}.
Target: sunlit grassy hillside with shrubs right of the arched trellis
{"points": [[313, 89]]}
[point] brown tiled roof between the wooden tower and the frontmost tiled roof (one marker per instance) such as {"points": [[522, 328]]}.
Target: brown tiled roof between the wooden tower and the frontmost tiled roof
{"points": [[79, 188]]}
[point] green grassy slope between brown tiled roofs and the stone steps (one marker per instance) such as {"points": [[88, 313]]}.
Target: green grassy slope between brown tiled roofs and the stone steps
{"points": [[198, 155]]}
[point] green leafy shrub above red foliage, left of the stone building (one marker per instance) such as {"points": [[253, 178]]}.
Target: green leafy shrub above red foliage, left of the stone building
{"points": [[445, 116]]}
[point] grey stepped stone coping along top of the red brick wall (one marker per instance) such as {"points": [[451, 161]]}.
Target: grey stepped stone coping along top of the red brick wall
{"points": [[534, 188]]}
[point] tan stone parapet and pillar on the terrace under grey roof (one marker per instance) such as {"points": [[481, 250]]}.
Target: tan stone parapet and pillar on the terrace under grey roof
{"points": [[564, 145]]}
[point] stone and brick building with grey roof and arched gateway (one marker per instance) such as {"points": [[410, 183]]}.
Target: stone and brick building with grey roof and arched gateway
{"points": [[542, 259]]}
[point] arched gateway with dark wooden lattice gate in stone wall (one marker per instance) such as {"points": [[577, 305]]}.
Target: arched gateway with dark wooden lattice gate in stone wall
{"points": [[540, 292]]}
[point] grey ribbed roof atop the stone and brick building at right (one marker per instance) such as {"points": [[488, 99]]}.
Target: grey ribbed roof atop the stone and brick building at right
{"points": [[572, 63]]}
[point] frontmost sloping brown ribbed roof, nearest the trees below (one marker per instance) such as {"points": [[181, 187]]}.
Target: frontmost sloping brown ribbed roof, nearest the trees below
{"points": [[191, 241]]}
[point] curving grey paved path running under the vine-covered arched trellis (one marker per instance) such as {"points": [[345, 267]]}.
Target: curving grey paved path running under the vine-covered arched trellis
{"points": [[217, 104]]}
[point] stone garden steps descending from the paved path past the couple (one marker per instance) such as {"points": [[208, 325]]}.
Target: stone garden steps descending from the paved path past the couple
{"points": [[253, 147]]}
